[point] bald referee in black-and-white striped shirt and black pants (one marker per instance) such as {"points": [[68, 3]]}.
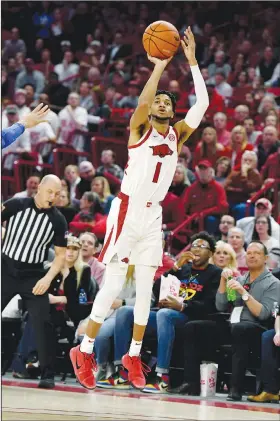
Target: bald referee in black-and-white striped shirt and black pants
{"points": [[32, 225]]}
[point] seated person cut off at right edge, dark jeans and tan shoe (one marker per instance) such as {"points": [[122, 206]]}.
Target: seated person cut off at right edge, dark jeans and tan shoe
{"points": [[269, 364]]}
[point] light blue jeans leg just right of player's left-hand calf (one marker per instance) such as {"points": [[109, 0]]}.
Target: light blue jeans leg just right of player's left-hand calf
{"points": [[102, 342]]}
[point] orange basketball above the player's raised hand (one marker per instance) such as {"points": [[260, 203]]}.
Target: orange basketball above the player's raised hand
{"points": [[161, 39]]}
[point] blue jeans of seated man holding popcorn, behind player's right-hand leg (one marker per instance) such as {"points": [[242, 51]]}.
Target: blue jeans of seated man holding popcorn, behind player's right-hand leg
{"points": [[161, 323]]}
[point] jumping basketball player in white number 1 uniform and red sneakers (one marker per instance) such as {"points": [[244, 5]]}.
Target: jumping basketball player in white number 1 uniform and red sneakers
{"points": [[134, 223]]}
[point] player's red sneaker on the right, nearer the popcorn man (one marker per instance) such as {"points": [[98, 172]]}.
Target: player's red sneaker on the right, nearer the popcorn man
{"points": [[136, 371]]}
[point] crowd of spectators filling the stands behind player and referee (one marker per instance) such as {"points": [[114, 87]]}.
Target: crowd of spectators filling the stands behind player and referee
{"points": [[86, 61]]}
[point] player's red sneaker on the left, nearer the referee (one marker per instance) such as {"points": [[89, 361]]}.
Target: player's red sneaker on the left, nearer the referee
{"points": [[84, 365]]}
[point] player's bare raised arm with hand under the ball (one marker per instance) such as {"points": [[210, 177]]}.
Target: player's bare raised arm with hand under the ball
{"points": [[141, 113]]}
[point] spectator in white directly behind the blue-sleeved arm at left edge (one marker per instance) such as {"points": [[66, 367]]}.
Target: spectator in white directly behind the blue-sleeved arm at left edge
{"points": [[21, 145]]}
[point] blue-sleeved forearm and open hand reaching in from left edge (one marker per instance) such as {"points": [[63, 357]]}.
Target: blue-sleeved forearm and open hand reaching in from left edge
{"points": [[10, 134]]}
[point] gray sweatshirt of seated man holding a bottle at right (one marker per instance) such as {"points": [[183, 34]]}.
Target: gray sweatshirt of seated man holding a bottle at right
{"points": [[265, 289]]}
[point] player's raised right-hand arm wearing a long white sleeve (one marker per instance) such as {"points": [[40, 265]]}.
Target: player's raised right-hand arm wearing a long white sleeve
{"points": [[195, 114]]}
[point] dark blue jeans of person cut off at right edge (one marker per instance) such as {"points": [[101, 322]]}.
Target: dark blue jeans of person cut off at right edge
{"points": [[269, 367]]}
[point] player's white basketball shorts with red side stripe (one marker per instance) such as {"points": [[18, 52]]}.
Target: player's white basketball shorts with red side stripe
{"points": [[133, 233]]}
